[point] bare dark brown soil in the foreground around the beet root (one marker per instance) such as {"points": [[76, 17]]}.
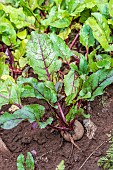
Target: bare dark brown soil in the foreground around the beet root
{"points": [[50, 146]]}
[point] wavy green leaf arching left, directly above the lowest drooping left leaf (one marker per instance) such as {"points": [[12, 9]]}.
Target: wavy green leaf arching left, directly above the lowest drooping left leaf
{"points": [[41, 90]]}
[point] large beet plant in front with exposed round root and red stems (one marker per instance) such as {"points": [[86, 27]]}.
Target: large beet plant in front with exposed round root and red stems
{"points": [[64, 80]]}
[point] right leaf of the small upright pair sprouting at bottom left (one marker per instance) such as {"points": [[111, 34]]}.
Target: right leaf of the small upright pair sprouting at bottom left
{"points": [[30, 164]]}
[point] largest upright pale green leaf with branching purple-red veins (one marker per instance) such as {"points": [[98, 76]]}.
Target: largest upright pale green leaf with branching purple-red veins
{"points": [[41, 56]]}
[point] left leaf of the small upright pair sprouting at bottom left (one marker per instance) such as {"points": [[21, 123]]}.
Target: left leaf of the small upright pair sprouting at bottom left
{"points": [[20, 162]]}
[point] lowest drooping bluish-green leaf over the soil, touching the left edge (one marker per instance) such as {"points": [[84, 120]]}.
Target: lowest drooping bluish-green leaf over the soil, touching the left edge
{"points": [[32, 113]]}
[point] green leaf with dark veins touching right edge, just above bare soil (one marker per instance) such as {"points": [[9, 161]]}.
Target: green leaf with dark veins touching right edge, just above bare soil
{"points": [[96, 83]]}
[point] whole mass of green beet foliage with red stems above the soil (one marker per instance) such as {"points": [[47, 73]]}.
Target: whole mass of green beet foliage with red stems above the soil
{"points": [[32, 35]]}
